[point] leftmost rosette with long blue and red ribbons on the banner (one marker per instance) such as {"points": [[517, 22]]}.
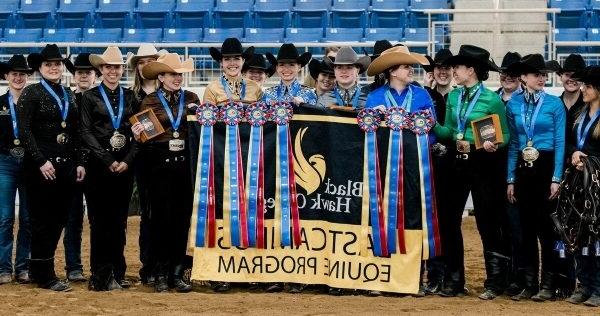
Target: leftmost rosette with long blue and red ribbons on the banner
{"points": [[206, 227]]}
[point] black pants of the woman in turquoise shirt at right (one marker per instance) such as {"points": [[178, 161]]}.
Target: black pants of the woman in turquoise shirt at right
{"points": [[532, 189]]}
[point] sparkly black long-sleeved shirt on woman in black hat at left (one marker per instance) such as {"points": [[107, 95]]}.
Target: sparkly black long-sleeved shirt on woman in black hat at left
{"points": [[40, 123]]}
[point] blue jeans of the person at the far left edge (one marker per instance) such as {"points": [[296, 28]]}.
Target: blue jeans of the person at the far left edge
{"points": [[11, 179]]}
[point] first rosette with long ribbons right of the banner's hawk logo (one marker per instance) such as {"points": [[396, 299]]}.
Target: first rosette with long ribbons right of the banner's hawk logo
{"points": [[368, 121]]}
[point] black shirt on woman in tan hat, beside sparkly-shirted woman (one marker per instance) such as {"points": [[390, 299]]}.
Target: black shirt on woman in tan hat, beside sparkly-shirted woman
{"points": [[97, 128]]}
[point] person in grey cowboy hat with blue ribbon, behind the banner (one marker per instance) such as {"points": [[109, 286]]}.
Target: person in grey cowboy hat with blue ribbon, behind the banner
{"points": [[347, 94]]}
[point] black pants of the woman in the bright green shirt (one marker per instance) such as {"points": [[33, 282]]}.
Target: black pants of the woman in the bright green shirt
{"points": [[482, 174]]}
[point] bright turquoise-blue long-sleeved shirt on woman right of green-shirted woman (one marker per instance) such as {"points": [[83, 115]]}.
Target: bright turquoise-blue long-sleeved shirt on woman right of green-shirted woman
{"points": [[548, 135]]}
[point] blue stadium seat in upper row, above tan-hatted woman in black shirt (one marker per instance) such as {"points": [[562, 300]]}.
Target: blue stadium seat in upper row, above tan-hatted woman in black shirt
{"points": [[114, 14]]}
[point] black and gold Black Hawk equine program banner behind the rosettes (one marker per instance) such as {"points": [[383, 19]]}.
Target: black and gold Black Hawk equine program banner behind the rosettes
{"points": [[336, 246]]}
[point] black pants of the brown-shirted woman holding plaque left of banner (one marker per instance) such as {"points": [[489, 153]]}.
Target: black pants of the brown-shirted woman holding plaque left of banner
{"points": [[171, 195]]}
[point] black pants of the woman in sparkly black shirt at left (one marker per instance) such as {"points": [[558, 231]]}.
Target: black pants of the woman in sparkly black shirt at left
{"points": [[49, 205]]}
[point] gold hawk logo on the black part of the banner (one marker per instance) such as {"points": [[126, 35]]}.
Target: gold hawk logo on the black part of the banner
{"points": [[309, 173]]}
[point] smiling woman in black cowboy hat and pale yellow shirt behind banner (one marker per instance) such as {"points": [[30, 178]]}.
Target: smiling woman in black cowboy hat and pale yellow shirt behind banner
{"points": [[231, 86]]}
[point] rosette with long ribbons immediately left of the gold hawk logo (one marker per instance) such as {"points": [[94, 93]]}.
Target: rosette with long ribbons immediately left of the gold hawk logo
{"points": [[286, 203]]}
